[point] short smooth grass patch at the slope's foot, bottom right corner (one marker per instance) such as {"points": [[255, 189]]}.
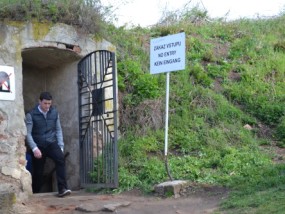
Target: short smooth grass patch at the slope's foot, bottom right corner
{"points": [[266, 195]]}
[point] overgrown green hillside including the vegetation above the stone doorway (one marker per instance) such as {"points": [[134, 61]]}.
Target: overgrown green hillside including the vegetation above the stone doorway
{"points": [[234, 76]]}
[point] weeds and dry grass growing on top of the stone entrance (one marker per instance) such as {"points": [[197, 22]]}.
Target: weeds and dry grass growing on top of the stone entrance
{"points": [[87, 15]]}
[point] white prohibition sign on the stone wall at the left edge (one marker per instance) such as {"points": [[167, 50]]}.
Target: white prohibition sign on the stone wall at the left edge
{"points": [[7, 83]]}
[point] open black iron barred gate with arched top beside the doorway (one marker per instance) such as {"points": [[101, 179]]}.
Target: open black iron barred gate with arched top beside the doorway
{"points": [[97, 87]]}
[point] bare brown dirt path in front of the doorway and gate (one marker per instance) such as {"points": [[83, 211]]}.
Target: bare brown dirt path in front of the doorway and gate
{"points": [[204, 201]]}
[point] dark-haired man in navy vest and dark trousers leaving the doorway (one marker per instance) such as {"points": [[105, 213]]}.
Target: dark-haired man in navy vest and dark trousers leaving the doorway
{"points": [[44, 137]]}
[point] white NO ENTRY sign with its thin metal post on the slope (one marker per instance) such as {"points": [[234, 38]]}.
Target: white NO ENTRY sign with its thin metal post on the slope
{"points": [[167, 54]]}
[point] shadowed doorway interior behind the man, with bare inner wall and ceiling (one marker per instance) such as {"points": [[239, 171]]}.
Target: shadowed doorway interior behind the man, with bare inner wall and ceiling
{"points": [[55, 70]]}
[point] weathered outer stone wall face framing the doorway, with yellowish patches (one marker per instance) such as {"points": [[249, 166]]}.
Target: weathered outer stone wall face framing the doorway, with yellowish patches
{"points": [[15, 180]]}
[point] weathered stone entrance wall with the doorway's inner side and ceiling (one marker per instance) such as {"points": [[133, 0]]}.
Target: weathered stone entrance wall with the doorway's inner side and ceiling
{"points": [[65, 47]]}
